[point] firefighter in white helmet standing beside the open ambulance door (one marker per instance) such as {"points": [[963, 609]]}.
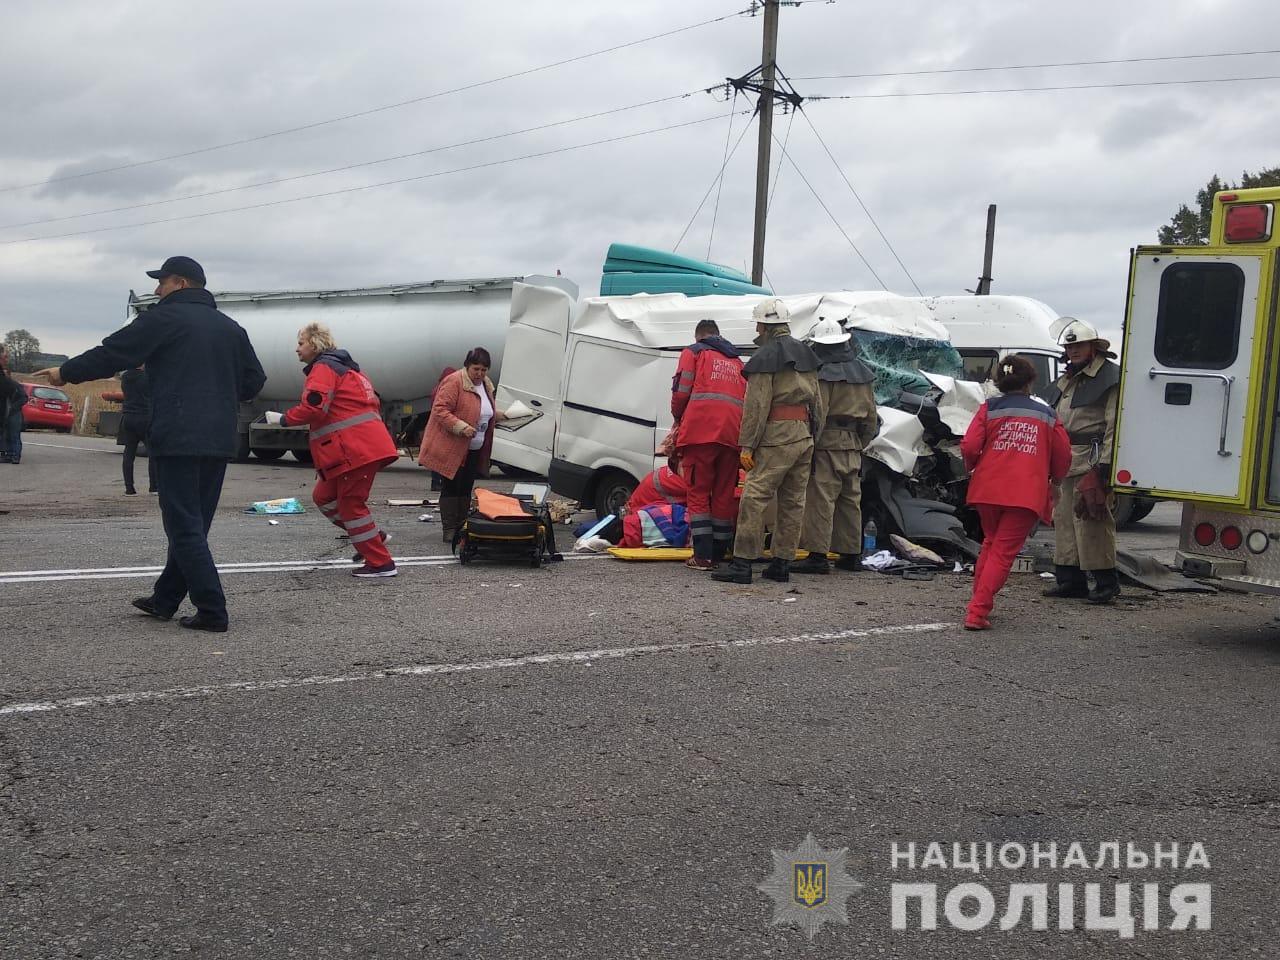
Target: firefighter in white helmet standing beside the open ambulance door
{"points": [[1085, 524]]}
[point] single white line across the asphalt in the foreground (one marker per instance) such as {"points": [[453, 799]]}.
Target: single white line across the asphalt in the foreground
{"points": [[429, 670]]}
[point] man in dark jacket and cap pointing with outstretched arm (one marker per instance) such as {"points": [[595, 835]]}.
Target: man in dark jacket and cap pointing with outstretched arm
{"points": [[202, 367]]}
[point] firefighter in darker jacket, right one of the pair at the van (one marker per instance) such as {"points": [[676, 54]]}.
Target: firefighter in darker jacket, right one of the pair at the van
{"points": [[834, 502]]}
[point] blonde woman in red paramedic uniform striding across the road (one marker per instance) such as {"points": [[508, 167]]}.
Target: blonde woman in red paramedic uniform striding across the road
{"points": [[350, 444]]}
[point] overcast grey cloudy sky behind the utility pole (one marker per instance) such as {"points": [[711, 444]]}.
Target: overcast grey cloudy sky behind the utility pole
{"points": [[1080, 176]]}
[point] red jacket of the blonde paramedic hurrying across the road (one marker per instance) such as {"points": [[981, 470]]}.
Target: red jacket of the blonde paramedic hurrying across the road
{"points": [[345, 415]]}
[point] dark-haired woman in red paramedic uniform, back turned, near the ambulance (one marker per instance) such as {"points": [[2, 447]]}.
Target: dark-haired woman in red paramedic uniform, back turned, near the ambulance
{"points": [[1014, 447]]}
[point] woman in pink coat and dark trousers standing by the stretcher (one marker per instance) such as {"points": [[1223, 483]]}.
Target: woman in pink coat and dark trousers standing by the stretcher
{"points": [[459, 437]]}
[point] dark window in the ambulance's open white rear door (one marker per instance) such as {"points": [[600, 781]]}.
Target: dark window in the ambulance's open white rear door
{"points": [[1199, 319]]}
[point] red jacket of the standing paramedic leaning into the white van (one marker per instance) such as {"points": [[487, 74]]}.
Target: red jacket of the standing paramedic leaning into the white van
{"points": [[707, 394]]}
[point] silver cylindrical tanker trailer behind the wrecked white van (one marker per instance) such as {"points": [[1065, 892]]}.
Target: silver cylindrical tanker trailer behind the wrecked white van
{"points": [[401, 336]]}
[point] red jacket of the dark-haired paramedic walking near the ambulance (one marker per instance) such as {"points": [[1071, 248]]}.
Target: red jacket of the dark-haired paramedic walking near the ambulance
{"points": [[1014, 446]]}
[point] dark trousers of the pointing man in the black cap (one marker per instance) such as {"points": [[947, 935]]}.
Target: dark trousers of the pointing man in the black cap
{"points": [[190, 488]]}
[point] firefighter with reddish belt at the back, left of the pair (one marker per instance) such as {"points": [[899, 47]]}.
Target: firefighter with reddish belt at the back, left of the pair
{"points": [[781, 415]]}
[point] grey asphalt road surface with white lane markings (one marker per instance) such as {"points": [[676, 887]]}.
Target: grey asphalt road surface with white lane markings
{"points": [[593, 760]]}
